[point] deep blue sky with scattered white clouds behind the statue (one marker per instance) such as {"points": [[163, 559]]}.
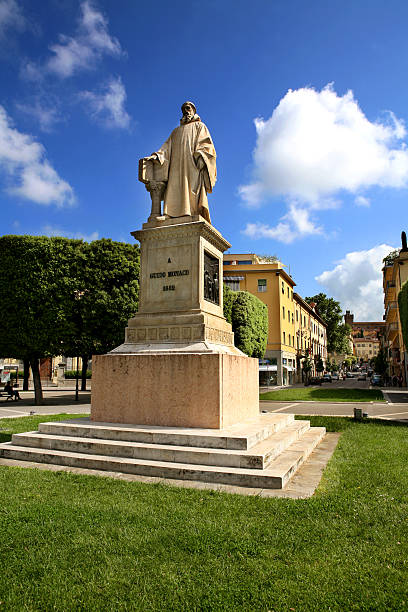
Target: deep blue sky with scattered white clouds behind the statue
{"points": [[307, 104]]}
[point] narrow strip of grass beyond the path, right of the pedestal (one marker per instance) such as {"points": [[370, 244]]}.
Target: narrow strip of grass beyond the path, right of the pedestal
{"points": [[317, 394]]}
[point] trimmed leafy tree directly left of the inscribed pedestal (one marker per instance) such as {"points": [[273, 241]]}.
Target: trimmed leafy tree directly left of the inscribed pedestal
{"points": [[106, 281]]}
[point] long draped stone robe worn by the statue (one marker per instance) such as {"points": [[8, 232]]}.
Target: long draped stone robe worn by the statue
{"points": [[187, 187]]}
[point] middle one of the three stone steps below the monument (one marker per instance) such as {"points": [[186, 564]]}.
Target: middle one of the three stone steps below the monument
{"points": [[258, 457]]}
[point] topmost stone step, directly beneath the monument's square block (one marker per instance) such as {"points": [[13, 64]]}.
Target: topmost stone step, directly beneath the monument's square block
{"points": [[242, 436]]}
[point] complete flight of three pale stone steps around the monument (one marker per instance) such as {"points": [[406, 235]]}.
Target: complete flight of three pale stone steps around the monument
{"points": [[264, 452]]}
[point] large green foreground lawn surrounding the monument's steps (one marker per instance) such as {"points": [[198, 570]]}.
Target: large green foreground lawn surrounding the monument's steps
{"points": [[73, 542]]}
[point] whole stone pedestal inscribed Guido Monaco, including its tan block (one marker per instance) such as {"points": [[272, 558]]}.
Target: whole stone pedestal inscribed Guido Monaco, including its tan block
{"points": [[178, 366]]}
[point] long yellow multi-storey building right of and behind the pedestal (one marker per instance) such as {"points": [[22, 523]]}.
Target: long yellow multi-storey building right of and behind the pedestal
{"points": [[292, 322]]}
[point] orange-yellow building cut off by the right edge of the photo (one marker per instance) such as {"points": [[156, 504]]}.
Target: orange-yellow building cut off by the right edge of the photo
{"points": [[395, 274]]}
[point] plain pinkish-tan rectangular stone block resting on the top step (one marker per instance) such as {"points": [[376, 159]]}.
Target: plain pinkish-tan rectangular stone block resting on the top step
{"points": [[210, 390]]}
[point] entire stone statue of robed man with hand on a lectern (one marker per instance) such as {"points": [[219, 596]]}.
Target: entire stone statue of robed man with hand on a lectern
{"points": [[183, 170]]}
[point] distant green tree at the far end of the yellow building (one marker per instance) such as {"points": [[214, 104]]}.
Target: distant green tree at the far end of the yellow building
{"points": [[330, 311]]}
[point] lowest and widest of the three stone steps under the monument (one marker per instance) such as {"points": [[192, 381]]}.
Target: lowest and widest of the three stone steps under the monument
{"points": [[276, 475]]}
